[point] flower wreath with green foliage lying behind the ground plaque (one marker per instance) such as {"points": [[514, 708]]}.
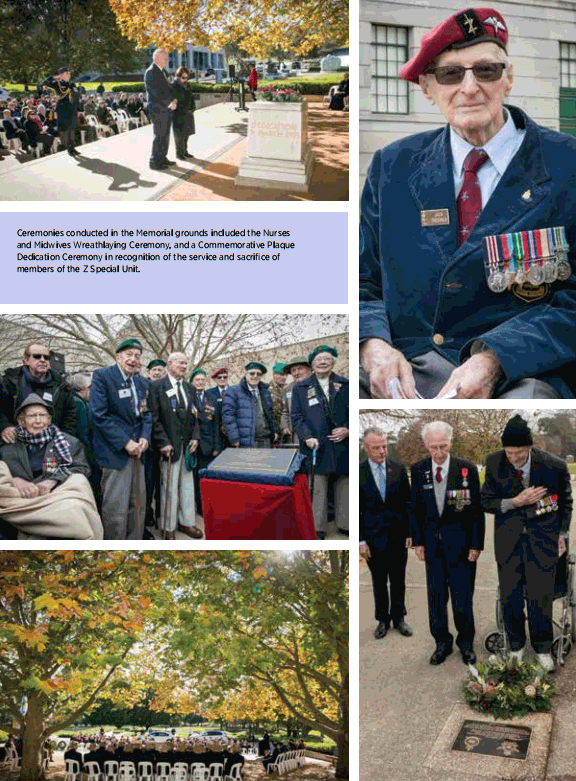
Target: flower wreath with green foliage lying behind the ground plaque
{"points": [[507, 688]]}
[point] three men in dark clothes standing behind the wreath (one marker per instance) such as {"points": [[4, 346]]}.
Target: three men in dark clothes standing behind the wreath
{"points": [[439, 513]]}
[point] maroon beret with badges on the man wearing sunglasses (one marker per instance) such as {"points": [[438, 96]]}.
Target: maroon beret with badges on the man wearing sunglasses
{"points": [[465, 28]]}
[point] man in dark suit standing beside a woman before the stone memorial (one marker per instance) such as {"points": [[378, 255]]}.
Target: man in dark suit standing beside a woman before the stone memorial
{"points": [[160, 97]]}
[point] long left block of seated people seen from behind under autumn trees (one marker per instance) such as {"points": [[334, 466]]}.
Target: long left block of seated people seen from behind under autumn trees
{"points": [[189, 752]]}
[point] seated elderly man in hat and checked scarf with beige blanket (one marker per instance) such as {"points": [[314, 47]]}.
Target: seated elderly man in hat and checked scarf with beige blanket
{"points": [[44, 491]]}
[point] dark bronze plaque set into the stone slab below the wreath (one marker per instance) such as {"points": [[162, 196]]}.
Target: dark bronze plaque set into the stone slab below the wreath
{"points": [[493, 739]]}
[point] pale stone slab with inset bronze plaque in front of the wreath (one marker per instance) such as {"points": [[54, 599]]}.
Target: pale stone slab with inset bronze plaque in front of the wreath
{"points": [[476, 745]]}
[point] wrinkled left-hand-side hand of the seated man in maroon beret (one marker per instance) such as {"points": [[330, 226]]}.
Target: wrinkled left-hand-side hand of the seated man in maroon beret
{"points": [[383, 363]]}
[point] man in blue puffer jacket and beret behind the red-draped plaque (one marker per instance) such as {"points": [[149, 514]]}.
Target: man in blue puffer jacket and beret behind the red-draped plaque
{"points": [[247, 411]]}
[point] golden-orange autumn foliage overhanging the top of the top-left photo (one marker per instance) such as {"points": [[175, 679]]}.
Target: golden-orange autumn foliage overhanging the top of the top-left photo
{"points": [[298, 25]]}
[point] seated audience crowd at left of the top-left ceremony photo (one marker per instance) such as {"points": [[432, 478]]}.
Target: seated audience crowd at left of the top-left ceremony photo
{"points": [[34, 120]]}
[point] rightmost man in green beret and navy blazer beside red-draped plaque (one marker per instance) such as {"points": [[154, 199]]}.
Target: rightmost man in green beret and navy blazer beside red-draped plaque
{"points": [[320, 419]]}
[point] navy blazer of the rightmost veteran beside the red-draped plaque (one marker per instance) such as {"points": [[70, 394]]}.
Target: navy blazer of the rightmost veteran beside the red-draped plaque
{"points": [[310, 418]]}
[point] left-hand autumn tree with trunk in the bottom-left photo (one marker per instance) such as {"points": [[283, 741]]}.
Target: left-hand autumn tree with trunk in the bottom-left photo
{"points": [[68, 620]]}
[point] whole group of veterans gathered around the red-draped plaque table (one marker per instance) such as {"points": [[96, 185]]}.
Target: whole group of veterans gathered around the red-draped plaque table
{"points": [[103, 455]]}
